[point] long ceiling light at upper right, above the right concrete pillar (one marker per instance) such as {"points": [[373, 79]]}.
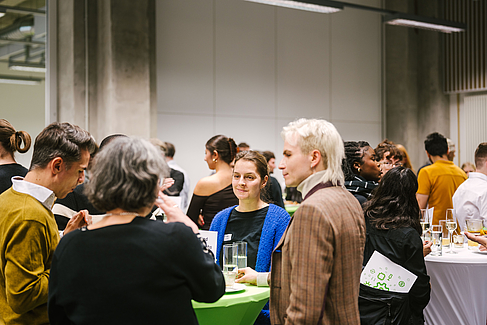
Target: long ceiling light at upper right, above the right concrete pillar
{"points": [[439, 25]]}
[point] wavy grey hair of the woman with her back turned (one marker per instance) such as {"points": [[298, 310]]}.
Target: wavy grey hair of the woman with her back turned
{"points": [[126, 175]]}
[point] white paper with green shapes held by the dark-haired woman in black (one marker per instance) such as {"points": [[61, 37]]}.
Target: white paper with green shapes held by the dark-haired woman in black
{"points": [[383, 274]]}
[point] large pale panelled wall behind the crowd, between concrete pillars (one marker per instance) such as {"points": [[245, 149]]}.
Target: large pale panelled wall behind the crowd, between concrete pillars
{"points": [[245, 70]]}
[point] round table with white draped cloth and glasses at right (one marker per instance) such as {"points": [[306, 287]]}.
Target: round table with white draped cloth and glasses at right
{"points": [[458, 288]]}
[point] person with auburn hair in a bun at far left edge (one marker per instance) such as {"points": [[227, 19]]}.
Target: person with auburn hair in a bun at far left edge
{"points": [[10, 142]]}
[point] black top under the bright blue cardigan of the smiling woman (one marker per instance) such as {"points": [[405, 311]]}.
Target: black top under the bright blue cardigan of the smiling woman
{"points": [[247, 227]]}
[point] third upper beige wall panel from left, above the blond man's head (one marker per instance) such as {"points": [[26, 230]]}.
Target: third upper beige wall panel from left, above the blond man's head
{"points": [[303, 64]]}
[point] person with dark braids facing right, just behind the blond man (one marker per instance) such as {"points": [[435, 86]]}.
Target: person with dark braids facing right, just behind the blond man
{"points": [[361, 170]]}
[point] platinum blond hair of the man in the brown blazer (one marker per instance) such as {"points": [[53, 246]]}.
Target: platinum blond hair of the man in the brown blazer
{"points": [[311, 134]]}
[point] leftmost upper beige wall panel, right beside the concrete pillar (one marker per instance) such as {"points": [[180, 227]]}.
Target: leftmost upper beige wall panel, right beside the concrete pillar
{"points": [[185, 56]]}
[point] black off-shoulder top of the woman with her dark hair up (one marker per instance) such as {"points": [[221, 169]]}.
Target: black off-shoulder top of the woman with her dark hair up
{"points": [[211, 205]]}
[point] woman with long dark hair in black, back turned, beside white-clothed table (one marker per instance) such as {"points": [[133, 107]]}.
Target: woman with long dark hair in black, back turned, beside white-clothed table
{"points": [[392, 219]]}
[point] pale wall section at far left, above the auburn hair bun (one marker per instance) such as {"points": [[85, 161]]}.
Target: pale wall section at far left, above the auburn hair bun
{"points": [[23, 107]]}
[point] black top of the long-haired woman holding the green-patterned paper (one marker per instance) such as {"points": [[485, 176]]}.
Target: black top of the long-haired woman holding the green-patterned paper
{"points": [[404, 247]]}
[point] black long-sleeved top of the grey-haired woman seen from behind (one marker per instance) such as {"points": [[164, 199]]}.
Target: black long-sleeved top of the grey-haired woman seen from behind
{"points": [[143, 272]]}
